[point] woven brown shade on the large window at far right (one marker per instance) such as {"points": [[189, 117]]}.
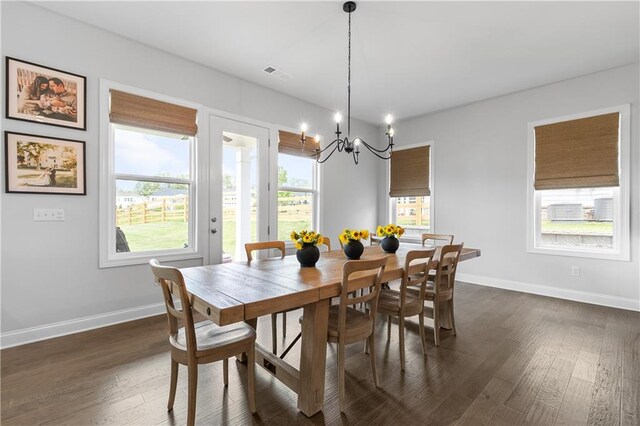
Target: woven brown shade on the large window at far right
{"points": [[579, 153]]}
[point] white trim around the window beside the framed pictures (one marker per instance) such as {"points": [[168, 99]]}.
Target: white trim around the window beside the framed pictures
{"points": [[107, 254]]}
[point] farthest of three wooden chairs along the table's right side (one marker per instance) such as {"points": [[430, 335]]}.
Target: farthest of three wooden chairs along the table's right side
{"points": [[440, 290]]}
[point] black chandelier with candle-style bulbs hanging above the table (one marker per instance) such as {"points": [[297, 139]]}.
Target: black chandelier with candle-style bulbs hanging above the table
{"points": [[347, 144]]}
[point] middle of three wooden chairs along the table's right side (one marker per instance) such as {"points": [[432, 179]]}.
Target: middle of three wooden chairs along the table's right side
{"points": [[394, 303]]}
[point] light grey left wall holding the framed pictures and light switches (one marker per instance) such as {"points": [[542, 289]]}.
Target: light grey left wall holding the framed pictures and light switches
{"points": [[51, 283]]}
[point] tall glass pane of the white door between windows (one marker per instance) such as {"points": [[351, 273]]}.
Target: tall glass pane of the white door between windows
{"points": [[239, 194]]}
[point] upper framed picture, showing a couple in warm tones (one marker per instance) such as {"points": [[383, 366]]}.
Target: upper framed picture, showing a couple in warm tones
{"points": [[45, 95]]}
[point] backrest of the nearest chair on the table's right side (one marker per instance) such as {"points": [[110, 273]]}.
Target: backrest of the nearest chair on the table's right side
{"points": [[363, 277]]}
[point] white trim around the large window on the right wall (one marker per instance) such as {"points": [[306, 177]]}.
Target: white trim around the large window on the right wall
{"points": [[621, 227]]}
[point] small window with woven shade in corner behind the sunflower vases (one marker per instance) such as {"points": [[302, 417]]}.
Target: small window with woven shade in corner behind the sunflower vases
{"points": [[410, 190]]}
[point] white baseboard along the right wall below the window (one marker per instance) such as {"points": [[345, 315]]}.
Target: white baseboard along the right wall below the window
{"points": [[560, 293]]}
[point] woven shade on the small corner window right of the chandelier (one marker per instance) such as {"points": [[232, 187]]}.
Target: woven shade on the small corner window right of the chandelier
{"points": [[410, 172]]}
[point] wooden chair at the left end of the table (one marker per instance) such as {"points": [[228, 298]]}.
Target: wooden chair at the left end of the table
{"points": [[200, 343]]}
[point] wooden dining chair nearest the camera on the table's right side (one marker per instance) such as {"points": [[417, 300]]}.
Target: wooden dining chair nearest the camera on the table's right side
{"points": [[349, 325]]}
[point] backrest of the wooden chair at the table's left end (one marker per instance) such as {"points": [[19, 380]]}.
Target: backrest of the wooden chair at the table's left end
{"points": [[172, 282]]}
